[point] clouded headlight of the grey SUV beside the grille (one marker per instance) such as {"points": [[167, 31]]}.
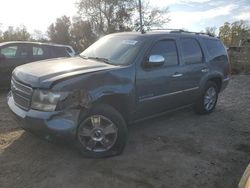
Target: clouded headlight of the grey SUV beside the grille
{"points": [[45, 100]]}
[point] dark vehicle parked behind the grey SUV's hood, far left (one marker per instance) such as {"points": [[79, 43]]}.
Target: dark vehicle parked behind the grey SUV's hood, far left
{"points": [[13, 54]]}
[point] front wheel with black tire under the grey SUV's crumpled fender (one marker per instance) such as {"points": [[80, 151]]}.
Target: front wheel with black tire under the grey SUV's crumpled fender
{"points": [[102, 132]]}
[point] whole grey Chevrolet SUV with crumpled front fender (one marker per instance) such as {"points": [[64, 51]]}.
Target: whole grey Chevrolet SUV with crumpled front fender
{"points": [[120, 79]]}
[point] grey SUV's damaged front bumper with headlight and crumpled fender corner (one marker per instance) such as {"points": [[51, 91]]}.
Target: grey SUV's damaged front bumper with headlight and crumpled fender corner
{"points": [[51, 114]]}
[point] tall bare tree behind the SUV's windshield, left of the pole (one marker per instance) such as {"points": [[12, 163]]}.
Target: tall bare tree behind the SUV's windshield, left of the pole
{"points": [[107, 16]]}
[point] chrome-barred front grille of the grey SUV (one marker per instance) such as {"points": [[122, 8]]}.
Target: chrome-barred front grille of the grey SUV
{"points": [[22, 94]]}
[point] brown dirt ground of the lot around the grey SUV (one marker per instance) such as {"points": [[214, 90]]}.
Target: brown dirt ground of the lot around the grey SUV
{"points": [[178, 150]]}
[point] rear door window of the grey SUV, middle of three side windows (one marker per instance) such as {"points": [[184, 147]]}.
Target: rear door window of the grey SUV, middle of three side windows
{"points": [[191, 51]]}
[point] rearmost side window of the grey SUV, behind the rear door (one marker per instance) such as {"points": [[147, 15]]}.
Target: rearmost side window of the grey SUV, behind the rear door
{"points": [[215, 47]]}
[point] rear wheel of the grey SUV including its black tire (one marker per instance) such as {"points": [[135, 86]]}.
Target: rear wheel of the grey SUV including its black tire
{"points": [[202, 106]]}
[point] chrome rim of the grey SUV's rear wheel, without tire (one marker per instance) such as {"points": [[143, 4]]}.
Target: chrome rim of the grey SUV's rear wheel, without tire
{"points": [[210, 98]]}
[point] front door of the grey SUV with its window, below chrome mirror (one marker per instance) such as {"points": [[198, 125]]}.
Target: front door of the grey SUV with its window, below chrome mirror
{"points": [[158, 88]]}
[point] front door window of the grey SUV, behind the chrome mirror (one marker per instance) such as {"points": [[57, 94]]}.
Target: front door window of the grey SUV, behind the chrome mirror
{"points": [[166, 48]]}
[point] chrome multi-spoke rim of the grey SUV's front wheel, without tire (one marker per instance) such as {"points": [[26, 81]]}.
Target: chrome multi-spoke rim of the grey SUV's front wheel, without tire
{"points": [[97, 133]]}
